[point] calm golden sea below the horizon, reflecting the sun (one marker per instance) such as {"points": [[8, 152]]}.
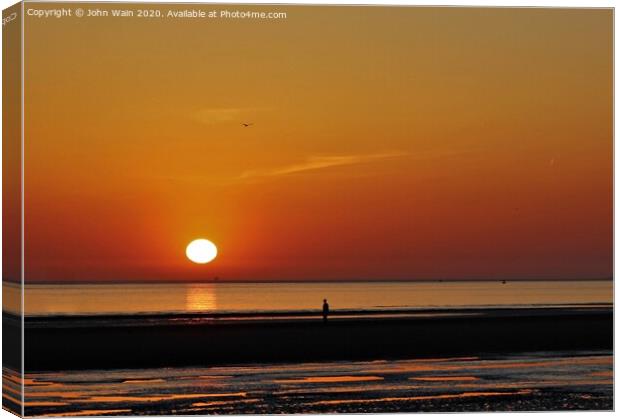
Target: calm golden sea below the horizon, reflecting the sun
{"points": [[47, 299]]}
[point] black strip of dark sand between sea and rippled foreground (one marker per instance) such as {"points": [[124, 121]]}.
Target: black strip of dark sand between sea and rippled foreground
{"points": [[102, 342]]}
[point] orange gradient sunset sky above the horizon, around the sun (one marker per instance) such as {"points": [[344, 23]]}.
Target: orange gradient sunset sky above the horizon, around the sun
{"points": [[389, 143]]}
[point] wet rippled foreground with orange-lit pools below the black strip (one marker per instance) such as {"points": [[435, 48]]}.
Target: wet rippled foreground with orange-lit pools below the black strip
{"points": [[534, 381]]}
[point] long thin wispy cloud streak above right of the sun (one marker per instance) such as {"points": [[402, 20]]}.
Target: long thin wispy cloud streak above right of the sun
{"points": [[318, 162]]}
